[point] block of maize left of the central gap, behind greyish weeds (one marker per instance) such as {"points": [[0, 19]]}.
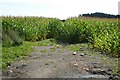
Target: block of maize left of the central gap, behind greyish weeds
{"points": [[33, 28]]}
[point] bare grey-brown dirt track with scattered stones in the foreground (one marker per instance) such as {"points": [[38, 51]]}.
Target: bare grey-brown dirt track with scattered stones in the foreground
{"points": [[58, 61]]}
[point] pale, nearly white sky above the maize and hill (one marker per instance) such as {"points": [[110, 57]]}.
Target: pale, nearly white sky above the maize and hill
{"points": [[57, 8]]}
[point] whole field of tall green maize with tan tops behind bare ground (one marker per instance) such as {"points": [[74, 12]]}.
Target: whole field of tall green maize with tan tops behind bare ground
{"points": [[103, 34]]}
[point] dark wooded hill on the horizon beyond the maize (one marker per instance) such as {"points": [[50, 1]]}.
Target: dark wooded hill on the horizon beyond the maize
{"points": [[100, 15]]}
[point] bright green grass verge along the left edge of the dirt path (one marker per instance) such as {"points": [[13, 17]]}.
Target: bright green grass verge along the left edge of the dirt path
{"points": [[10, 54]]}
